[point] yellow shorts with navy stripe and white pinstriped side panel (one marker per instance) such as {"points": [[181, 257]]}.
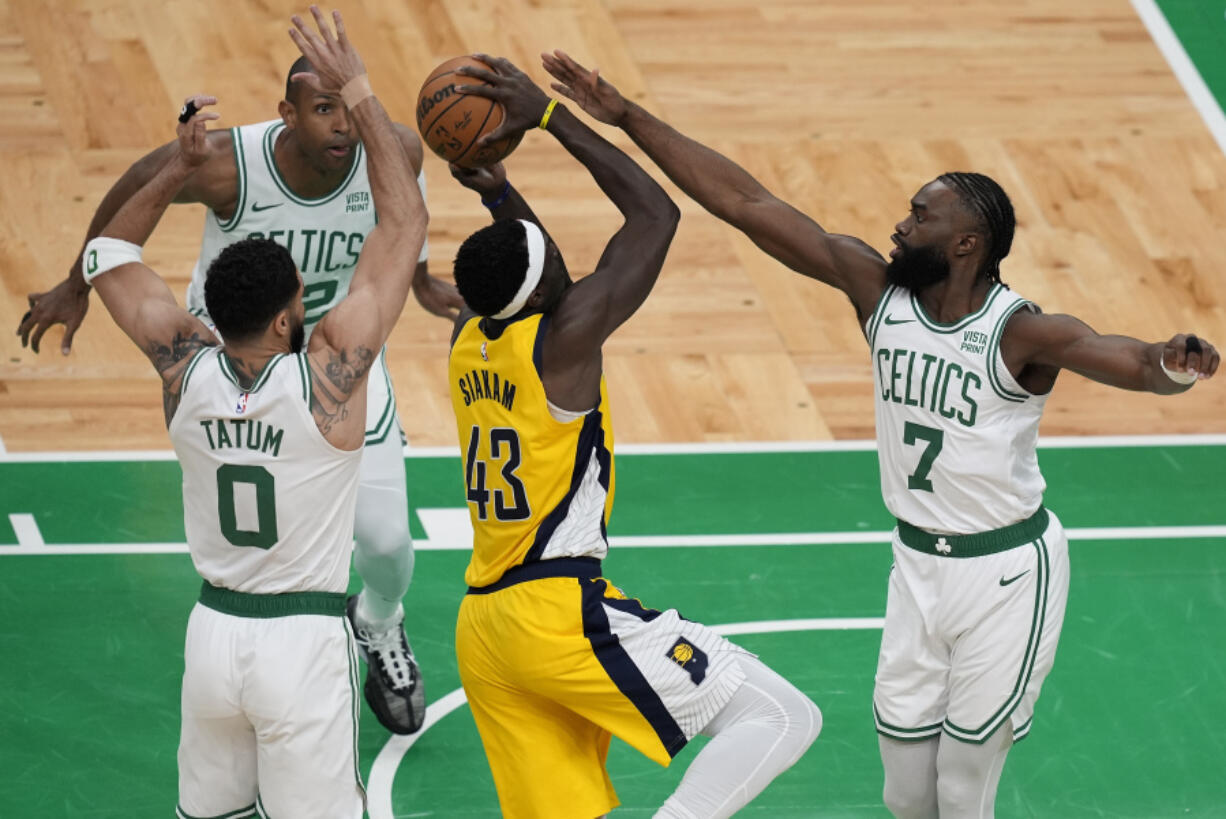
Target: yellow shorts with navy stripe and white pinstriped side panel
{"points": [[554, 666]]}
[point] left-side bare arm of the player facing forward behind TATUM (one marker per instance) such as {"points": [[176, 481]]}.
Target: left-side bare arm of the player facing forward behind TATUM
{"points": [[68, 302]]}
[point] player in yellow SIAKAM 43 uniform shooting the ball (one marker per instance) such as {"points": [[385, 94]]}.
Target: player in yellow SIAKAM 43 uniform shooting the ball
{"points": [[554, 658]]}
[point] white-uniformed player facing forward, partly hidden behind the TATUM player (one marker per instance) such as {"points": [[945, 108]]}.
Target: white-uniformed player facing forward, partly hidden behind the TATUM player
{"points": [[302, 182]]}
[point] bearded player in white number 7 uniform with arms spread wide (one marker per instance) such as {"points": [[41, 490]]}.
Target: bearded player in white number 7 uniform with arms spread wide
{"points": [[964, 367]]}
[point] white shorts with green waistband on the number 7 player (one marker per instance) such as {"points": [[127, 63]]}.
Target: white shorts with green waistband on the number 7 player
{"points": [[969, 641]]}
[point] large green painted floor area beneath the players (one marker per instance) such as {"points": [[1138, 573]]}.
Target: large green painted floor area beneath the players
{"points": [[1131, 723]]}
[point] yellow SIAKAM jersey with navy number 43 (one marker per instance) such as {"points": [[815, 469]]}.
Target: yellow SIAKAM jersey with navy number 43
{"points": [[539, 489]]}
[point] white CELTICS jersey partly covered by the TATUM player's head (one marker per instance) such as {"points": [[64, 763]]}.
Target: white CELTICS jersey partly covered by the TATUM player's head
{"points": [[324, 236]]}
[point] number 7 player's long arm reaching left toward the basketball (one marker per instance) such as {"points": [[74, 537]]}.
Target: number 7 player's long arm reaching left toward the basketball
{"points": [[729, 192]]}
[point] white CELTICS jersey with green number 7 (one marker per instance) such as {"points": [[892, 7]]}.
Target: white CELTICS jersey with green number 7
{"points": [[957, 436]]}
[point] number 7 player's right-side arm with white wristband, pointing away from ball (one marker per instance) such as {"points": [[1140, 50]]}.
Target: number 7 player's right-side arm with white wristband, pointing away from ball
{"points": [[1065, 343]]}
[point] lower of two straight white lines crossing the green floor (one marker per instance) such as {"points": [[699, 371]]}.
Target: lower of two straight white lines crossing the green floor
{"points": [[665, 541]]}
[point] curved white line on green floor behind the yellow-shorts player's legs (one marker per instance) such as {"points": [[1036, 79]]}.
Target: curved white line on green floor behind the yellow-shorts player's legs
{"points": [[383, 772]]}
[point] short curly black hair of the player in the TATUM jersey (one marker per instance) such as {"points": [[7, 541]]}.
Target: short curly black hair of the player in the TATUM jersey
{"points": [[249, 284]]}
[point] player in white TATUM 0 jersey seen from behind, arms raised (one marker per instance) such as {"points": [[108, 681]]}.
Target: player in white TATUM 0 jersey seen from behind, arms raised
{"points": [[270, 441]]}
